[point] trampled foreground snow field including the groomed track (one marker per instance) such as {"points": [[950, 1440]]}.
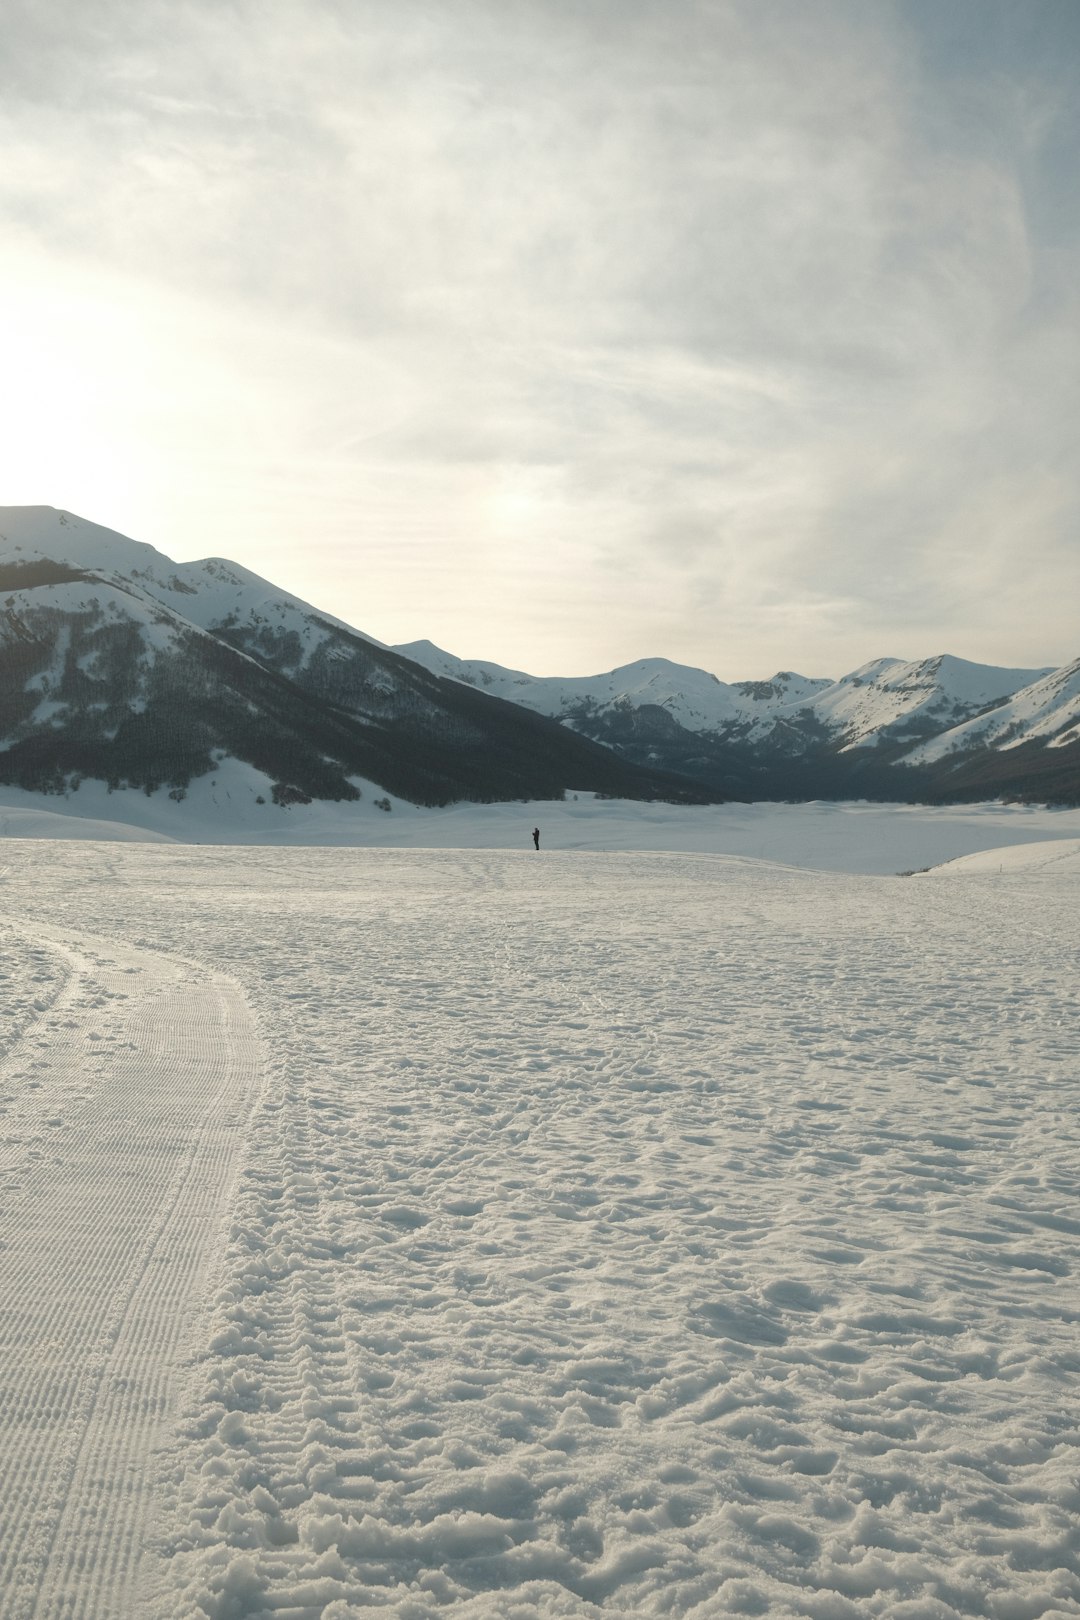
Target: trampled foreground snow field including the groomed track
{"points": [[606, 1232]]}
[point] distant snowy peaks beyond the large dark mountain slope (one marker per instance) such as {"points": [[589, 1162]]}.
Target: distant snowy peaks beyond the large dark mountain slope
{"points": [[802, 735]]}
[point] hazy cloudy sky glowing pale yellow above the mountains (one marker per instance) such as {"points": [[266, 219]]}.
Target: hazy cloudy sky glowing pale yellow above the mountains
{"points": [[564, 333]]}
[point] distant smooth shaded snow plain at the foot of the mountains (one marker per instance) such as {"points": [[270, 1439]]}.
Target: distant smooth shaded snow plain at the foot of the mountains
{"points": [[234, 808]]}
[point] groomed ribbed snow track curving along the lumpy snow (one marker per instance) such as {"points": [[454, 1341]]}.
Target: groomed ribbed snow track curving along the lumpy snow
{"points": [[147, 1068]]}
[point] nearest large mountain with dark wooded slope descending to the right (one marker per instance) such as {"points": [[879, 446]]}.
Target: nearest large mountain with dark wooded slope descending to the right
{"points": [[121, 665]]}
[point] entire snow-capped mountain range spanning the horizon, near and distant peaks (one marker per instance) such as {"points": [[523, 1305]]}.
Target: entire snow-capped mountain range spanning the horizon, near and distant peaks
{"points": [[121, 665]]}
